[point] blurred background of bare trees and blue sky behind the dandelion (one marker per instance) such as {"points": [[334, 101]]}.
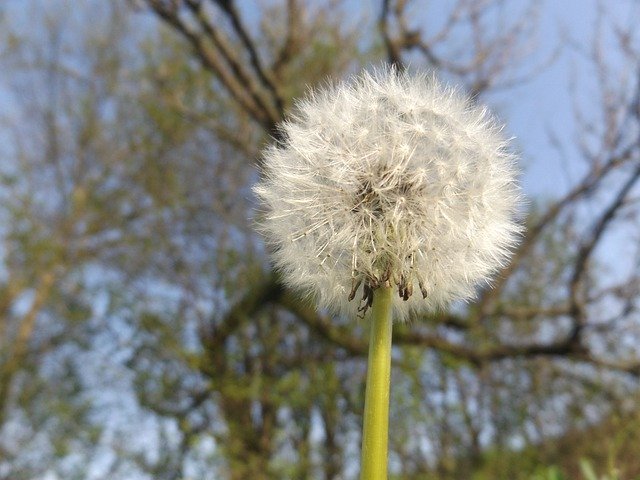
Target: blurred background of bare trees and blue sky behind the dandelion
{"points": [[143, 334]]}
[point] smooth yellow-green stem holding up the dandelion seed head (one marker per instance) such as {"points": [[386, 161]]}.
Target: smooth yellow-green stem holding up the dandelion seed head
{"points": [[375, 432]]}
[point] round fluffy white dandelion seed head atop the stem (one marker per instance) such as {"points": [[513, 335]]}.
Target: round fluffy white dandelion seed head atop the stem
{"points": [[389, 179]]}
